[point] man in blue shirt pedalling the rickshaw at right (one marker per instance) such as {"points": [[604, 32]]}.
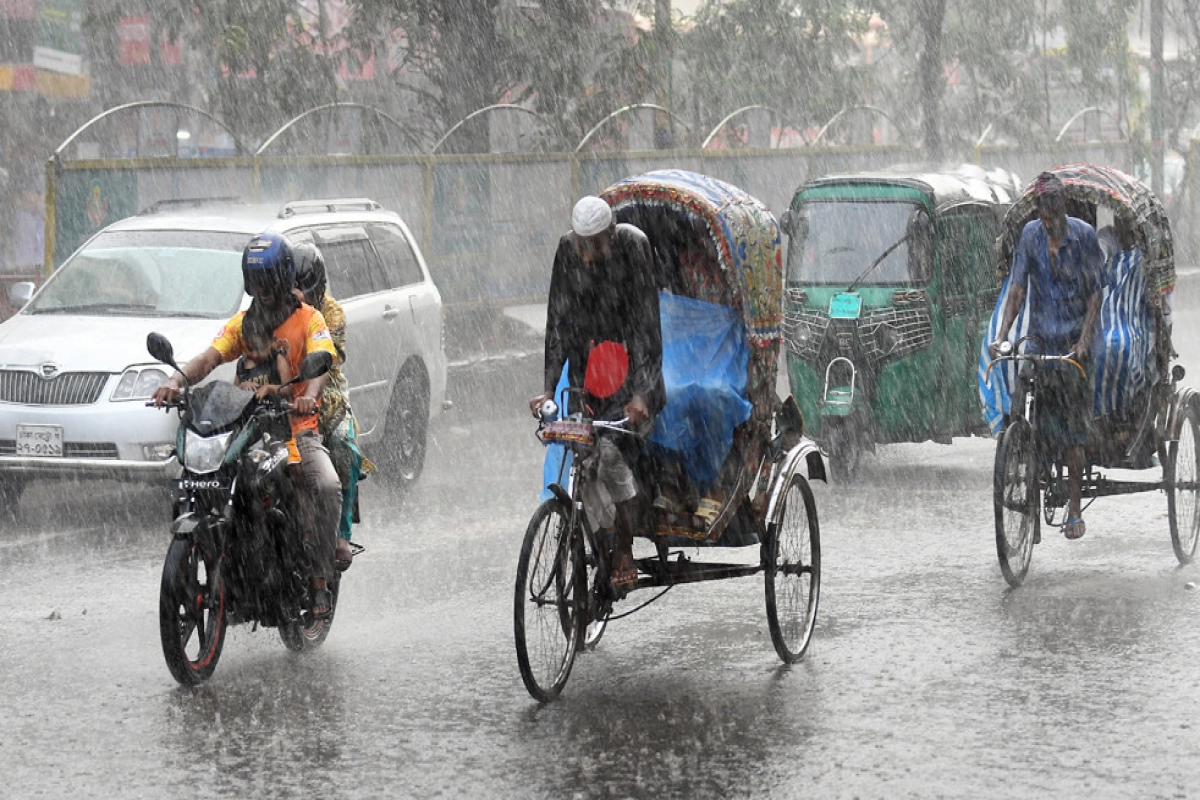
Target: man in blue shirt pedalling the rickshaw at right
{"points": [[1060, 266]]}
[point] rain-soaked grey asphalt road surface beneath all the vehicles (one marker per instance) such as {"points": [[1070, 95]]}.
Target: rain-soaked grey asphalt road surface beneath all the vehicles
{"points": [[926, 678]]}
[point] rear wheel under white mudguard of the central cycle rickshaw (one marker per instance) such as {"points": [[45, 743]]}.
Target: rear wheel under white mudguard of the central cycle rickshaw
{"points": [[793, 570]]}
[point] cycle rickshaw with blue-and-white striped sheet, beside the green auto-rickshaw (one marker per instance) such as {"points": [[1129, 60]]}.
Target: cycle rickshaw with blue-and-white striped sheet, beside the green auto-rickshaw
{"points": [[1143, 418]]}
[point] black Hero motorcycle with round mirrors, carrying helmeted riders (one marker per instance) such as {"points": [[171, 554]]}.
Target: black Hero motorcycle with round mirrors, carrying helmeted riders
{"points": [[237, 552]]}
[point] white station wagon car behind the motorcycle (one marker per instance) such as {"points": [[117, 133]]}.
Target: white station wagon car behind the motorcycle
{"points": [[75, 374]]}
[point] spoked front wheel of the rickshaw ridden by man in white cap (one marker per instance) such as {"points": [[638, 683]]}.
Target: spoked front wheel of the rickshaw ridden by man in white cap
{"points": [[551, 590]]}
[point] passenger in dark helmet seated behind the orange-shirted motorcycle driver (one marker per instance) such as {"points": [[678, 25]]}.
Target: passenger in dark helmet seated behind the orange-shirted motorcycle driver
{"points": [[337, 424]]}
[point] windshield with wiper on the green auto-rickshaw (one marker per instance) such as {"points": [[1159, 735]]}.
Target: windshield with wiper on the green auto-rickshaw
{"points": [[836, 242]]}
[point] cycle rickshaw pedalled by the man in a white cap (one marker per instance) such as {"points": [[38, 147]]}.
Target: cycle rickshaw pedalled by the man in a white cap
{"points": [[719, 261]]}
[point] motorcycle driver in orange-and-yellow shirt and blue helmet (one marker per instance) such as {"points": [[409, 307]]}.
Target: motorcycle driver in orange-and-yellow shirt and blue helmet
{"points": [[268, 270]]}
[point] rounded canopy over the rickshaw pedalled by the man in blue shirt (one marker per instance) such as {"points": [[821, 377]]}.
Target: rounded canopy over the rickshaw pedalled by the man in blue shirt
{"points": [[1126, 197]]}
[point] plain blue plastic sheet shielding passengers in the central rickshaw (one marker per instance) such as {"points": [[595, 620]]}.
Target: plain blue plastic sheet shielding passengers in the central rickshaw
{"points": [[705, 362]]}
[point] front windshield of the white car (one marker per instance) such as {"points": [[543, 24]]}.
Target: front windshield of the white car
{"points": [[149, 274]]}
